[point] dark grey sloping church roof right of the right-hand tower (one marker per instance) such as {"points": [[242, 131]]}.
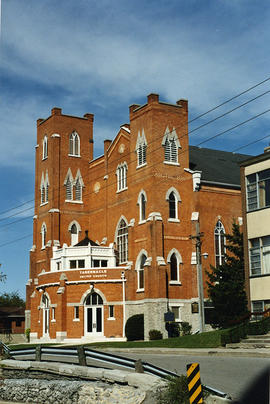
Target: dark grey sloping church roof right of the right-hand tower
{"points": [[217, 166]]}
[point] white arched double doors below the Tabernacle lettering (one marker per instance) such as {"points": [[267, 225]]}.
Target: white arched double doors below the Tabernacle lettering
{"points": [[93, 315]]}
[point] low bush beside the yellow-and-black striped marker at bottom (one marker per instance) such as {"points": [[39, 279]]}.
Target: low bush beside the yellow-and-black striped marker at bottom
{"points": [[176, 391]]}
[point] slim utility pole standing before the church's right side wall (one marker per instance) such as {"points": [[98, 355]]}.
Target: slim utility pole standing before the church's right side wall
{"points": [[198, 241]]}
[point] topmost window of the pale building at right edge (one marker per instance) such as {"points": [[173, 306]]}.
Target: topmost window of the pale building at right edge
{"points": [[258, 190]]}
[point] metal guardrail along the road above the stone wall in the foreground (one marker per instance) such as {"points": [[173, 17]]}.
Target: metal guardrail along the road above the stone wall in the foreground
{"points": [[82, 354]]}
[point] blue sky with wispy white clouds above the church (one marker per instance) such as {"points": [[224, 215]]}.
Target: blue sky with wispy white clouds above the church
{"points": [[100, 57]]}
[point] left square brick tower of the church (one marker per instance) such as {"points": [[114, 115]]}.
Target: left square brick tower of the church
{"points": [[63, 151]]}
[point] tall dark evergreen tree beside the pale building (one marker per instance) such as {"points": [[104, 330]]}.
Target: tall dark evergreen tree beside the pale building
{"points": [[226, 285]]}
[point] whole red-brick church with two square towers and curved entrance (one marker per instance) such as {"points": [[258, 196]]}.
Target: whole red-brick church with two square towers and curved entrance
{"points": [[113, 236]]}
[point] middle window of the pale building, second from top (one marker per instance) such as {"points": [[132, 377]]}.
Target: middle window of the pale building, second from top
{"points": [[259, 255]]}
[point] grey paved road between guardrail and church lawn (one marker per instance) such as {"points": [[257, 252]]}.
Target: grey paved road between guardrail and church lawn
{"points": [[229, 374]]}
